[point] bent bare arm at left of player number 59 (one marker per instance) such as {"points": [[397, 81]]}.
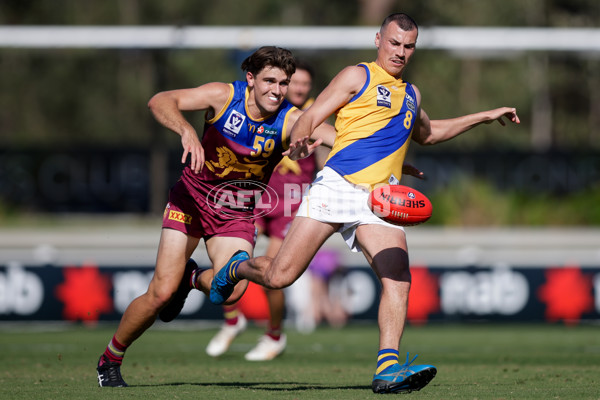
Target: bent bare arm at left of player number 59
{"points": [[167, 109]]}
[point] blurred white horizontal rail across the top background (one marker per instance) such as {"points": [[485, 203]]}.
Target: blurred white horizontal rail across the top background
{"points": [[478, 40]]}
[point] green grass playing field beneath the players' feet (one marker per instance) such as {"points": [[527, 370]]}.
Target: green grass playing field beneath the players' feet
{"points": [[475, 361]]}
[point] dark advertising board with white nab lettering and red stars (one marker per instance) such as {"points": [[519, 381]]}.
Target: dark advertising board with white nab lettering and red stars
{"points": [[91, 293]]}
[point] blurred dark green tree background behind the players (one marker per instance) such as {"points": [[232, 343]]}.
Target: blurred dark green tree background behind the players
{"points": [[68, 99]]}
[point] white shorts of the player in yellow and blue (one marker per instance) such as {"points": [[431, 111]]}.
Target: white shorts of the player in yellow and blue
{"points": [[331, 198]]}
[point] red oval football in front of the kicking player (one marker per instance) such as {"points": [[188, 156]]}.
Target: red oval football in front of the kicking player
{"points": [[400, 205]]}
